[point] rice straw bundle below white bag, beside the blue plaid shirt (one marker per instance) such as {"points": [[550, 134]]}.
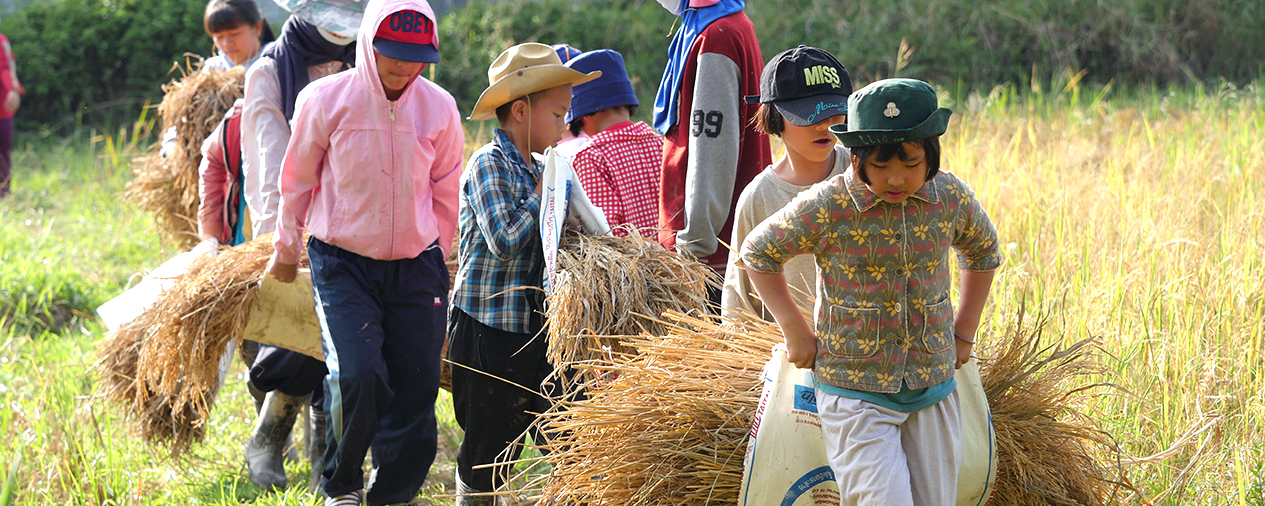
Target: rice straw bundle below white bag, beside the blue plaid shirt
{"points": [[609, 288]]}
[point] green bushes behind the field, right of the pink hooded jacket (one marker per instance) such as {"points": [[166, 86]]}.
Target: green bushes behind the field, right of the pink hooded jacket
{"points": [[957, 44]]}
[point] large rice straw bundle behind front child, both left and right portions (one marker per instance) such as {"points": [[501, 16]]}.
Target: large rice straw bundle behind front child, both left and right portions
{"points": [[672, 428]]}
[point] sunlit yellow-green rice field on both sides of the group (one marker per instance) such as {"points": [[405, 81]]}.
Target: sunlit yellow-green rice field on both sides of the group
{"points": [[1132, 217]]}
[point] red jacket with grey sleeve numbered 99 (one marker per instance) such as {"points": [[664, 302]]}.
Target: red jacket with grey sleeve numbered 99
{"points": [[714, 151]]}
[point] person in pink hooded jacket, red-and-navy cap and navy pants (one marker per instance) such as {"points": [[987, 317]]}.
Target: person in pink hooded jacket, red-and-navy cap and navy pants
{"points": [[373, 171]]}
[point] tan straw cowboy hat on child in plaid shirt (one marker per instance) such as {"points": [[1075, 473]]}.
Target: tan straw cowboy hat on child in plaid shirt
{"points": [[523, 70]]}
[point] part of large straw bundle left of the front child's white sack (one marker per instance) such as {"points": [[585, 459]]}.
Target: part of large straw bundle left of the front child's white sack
{"points": [[672, 427]]}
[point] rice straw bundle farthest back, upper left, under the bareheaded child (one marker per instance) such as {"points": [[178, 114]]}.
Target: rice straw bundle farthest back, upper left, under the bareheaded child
{"points": [[169, 187]]}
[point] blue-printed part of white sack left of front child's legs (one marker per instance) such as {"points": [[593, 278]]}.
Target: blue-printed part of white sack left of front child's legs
{"points": [[786, 457]]}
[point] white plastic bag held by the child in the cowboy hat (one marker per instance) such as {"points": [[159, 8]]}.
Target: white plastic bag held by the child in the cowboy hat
{"points": [[562, 195]]}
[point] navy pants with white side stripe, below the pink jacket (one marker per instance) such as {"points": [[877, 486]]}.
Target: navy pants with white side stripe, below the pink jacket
{"points": [[383, 326]]}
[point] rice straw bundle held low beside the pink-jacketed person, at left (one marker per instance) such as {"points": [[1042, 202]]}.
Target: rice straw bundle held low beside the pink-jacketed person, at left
{"points": [[165, 366]]}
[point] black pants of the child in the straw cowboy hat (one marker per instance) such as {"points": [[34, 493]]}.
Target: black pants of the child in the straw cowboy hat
{"points": [[494, 413]]}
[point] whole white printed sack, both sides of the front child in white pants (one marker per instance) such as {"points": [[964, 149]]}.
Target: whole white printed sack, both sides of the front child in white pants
{"points": [[786, 459]]}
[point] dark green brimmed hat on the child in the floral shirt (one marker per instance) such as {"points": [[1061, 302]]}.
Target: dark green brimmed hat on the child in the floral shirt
{"points": [[892, 112]]}
